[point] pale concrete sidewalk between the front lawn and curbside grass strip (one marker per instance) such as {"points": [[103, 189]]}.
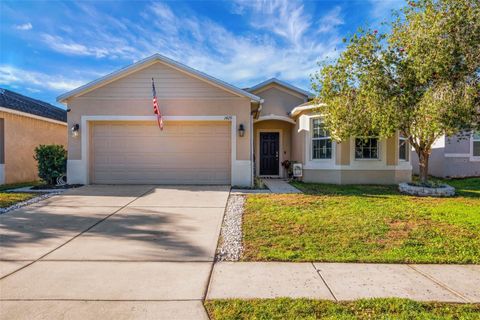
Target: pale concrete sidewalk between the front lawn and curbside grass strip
{"points": [[345, 281]]}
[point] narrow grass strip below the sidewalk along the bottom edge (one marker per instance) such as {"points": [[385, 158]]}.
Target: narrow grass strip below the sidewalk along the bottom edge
{"points": [[317, 309]]}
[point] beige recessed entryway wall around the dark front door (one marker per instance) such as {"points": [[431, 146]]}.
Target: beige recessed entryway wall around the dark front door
{"points": [[285, 130]]}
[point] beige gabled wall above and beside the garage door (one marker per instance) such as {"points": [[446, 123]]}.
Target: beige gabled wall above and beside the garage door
{"points": [[178, 95]]}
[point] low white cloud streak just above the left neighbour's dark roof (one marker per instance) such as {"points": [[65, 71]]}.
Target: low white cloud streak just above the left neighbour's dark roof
{"points": [[36, 81]]}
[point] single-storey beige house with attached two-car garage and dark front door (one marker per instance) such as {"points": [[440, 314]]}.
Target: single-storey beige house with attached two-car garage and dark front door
{"points": [[214, 133]]}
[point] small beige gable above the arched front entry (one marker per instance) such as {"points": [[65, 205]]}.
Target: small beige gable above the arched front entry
{"points": [[278, 100]]}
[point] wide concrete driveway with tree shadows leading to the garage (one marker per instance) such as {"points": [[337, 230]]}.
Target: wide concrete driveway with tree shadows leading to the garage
{"points": [[111, 252]]}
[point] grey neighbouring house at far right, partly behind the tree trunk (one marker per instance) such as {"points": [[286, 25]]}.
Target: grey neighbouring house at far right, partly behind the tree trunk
{"points": [[453, 157]]}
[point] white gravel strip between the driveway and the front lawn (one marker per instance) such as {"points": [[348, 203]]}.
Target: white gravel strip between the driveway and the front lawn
{"points": [[230, 247]]}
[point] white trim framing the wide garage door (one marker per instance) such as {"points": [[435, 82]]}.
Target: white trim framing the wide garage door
{"points": [[82, 167]]}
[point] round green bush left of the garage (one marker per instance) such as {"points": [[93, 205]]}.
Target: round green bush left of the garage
{"points": [[52, 162]]}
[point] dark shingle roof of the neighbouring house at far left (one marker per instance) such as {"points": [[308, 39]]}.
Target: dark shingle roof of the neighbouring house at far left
{"points": [[18, 102]]}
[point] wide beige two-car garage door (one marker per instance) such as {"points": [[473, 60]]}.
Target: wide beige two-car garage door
{"points": [[183, 153]]}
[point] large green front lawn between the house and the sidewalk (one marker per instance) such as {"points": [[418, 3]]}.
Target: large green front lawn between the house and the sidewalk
{"points": [[364, 224]]}
